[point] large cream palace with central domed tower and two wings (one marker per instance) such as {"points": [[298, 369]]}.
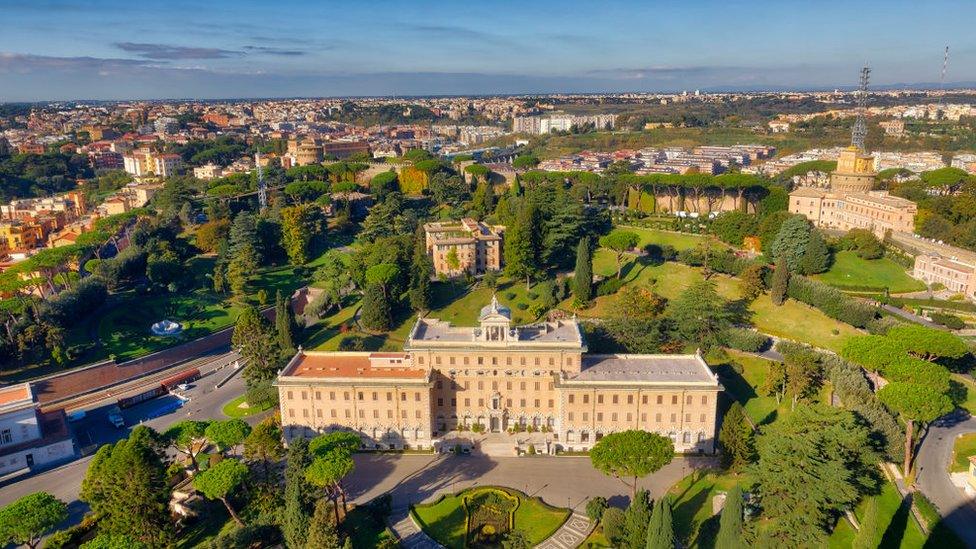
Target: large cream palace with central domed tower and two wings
{"points": [[498, 378]]}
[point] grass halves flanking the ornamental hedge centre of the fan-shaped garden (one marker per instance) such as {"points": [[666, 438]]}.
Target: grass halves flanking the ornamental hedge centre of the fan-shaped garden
{"points": [[445, 519]]}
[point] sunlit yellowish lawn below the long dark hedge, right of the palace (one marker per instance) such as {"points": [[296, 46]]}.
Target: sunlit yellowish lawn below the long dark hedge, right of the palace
{"points": [[800, 322]]}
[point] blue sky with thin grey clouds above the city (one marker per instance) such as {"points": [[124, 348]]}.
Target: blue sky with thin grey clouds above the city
{"points": [[133, 49]]}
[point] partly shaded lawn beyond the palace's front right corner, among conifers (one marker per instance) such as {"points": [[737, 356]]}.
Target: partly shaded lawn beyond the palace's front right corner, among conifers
{"points": [[694, 524]]}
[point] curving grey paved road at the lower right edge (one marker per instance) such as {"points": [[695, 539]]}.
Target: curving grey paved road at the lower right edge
{"points": [[933, 478]]}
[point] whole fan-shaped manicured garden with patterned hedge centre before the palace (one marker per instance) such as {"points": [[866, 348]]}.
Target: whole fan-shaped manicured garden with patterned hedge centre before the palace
{"points": [[481, 517]]}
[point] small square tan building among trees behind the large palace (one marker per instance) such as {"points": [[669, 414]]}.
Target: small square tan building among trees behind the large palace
{"points": [[465, 246]]}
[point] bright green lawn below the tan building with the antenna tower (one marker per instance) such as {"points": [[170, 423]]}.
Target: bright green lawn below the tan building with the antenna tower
{"points": [[849, 270]]}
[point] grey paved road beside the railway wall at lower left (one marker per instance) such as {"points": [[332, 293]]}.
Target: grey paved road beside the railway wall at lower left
{"points": [[64, 482]]}
